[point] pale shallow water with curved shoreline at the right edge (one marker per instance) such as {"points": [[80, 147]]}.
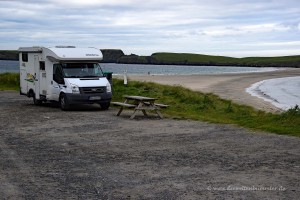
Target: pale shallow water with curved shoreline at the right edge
{"points": [[283, 93]]}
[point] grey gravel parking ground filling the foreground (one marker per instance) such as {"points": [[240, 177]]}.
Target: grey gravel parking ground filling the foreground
{"points": [[91, 154]]}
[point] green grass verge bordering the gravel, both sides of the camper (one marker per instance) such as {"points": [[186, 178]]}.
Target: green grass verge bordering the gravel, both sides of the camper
{"points": [[188, 104]]}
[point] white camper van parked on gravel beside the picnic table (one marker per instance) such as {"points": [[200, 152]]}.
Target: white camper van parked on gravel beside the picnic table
{"points": [[65, 74]]}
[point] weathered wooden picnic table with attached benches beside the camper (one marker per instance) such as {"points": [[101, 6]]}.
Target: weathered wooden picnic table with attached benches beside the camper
{"points": [[140, 103]]}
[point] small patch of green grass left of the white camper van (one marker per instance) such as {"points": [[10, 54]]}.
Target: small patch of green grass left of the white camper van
{"points": [[9, 81]]}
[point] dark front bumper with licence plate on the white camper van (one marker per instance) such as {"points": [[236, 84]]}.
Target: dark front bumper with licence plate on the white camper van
{"points": [[89, 98]]}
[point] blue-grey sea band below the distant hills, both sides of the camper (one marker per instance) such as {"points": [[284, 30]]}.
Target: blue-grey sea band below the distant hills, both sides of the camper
{"points": [[13, 66]]}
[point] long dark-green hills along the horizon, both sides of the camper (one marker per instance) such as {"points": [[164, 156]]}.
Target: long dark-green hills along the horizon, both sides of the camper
{"points": [[117, 56]]}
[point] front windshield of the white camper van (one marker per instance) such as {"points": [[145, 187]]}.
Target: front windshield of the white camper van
{"points": [[81, 70]]}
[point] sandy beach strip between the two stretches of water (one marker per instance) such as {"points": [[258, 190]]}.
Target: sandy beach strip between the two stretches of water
{"points": [[227, 86]]}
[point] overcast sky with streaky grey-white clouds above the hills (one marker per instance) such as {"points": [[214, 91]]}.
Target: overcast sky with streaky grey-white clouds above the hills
{"points": [[236, 28]]}
